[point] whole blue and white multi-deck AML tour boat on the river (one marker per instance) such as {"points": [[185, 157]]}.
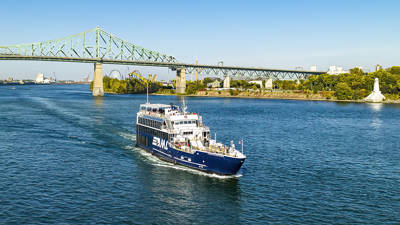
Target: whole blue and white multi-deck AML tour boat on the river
{"points": [[180, 137]]}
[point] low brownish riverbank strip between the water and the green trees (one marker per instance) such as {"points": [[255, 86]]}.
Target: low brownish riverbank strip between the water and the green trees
{"points": [[275, 94]]}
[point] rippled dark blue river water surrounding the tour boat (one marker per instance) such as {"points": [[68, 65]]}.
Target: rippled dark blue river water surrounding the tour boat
{"points": [[67, 157]]}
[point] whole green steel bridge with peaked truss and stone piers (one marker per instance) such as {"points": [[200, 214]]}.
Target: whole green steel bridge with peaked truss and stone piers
{"points": [[100, 47]]}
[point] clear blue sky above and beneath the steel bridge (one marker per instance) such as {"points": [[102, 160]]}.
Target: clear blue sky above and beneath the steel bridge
{"points": [[273, 34]]}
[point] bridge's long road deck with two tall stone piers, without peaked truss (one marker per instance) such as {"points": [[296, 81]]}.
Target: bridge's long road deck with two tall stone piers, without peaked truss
{"points": [[181, 68]]}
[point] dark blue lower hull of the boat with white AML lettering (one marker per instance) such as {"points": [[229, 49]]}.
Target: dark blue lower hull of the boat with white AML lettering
{"points": [[204, 161]]}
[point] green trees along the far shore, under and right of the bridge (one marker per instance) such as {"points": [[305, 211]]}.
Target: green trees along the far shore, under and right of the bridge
{"points": [[354, 85]]}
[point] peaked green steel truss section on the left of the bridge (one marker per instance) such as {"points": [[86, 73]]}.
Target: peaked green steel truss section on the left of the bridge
{"points": [[95, 44]]}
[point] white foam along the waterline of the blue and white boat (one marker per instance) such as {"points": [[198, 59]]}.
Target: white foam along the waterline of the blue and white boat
{"points": [[157, 162]]}
